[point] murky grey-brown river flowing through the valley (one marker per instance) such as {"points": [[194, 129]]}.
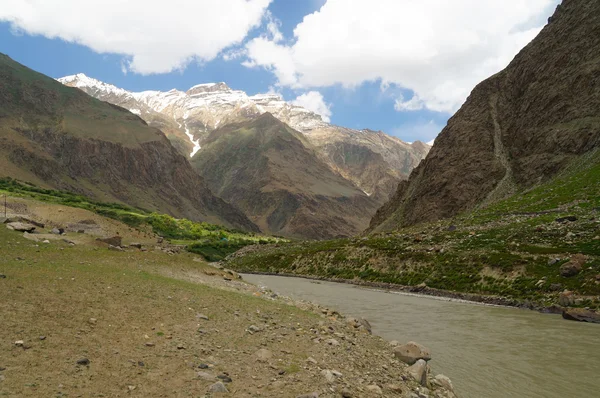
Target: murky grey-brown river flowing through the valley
{"points": [[488, 352]]}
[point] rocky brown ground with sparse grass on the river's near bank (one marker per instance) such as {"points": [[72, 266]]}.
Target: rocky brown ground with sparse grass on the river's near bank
{"points": [[83, 319]]}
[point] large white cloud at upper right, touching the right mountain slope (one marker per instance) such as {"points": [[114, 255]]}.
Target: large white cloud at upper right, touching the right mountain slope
{"points": [[438, 49]]}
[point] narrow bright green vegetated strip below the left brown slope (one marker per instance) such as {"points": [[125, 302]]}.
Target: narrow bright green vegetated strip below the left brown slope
{"points": [[213, 242]]}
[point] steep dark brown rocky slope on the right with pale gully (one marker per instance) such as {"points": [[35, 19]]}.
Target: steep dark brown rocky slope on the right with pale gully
{"points": [[518, 128]]}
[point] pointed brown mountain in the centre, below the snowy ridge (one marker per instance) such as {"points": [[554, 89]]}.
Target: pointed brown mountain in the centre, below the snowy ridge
{"points": [[271, 172]]}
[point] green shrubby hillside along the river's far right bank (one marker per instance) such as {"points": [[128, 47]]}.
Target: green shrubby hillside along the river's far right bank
{"points": [[523, 249]]}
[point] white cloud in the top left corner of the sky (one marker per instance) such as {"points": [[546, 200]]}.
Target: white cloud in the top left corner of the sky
{"points": [[158, 36]]}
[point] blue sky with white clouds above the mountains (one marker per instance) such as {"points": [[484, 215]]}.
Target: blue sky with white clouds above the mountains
{"points": [[386, 77]]}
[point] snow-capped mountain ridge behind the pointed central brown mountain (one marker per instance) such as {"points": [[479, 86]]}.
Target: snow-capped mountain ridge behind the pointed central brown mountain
{"points": [[374, 161]]}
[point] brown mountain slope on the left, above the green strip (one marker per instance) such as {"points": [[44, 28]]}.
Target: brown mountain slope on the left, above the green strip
{"points": [[60, 137]]}
